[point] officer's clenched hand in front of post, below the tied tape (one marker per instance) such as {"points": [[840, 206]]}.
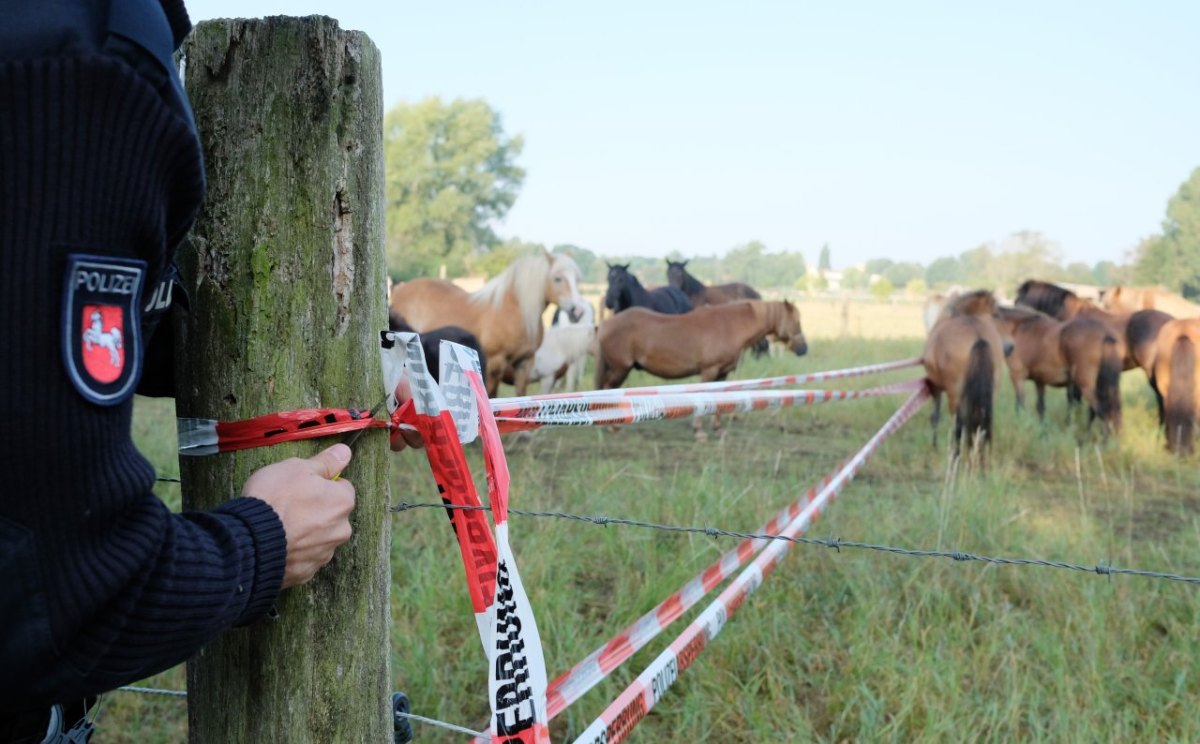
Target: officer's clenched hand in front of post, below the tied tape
{"points": [[315, 509]]}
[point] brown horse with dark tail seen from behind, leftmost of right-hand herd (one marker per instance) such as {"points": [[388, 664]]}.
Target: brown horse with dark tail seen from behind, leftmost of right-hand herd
{"points": [[964, 357]]}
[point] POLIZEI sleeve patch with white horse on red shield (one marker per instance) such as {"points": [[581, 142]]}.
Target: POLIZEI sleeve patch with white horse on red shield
{"points": [[103, 326]]}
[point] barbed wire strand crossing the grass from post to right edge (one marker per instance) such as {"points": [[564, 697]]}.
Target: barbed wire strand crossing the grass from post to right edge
{"points": [[832, 543]]}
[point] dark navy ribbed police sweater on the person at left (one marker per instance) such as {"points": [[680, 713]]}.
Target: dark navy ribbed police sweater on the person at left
{"points": [[100, 585]]}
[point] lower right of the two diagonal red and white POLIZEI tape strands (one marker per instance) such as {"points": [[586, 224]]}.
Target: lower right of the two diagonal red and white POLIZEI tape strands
{"points": [[632, 706]]}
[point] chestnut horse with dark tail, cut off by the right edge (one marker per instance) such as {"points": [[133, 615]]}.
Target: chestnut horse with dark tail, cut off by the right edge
{"points": [[1175, 373]]}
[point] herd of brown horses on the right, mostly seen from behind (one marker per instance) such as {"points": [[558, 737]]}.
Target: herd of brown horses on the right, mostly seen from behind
{"points": [[1055, 339]]}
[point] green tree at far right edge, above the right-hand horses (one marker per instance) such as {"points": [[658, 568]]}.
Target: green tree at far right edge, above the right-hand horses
{"points": [[1173, 259]]}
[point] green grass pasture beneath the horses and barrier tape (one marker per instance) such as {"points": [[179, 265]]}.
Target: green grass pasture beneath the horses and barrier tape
{"points": [[835, 646]]}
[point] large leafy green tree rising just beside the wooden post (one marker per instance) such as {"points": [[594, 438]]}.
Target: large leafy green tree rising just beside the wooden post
{"points": [[451, 175]]}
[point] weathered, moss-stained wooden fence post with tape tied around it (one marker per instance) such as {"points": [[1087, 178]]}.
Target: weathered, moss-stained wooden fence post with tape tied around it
{"points": [[286, 275]]}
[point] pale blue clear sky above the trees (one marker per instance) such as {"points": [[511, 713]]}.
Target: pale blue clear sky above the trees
{"points": [[903, 130]]}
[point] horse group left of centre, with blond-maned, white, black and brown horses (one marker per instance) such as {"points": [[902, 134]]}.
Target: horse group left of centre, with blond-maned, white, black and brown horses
{"points": [[679, 331]]}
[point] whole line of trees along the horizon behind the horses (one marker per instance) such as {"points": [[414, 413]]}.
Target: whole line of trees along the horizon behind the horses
{"points": [[452, 173]]}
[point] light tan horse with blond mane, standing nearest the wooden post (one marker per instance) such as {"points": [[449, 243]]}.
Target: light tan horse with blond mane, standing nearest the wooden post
{"points": [[505, 315]]}
